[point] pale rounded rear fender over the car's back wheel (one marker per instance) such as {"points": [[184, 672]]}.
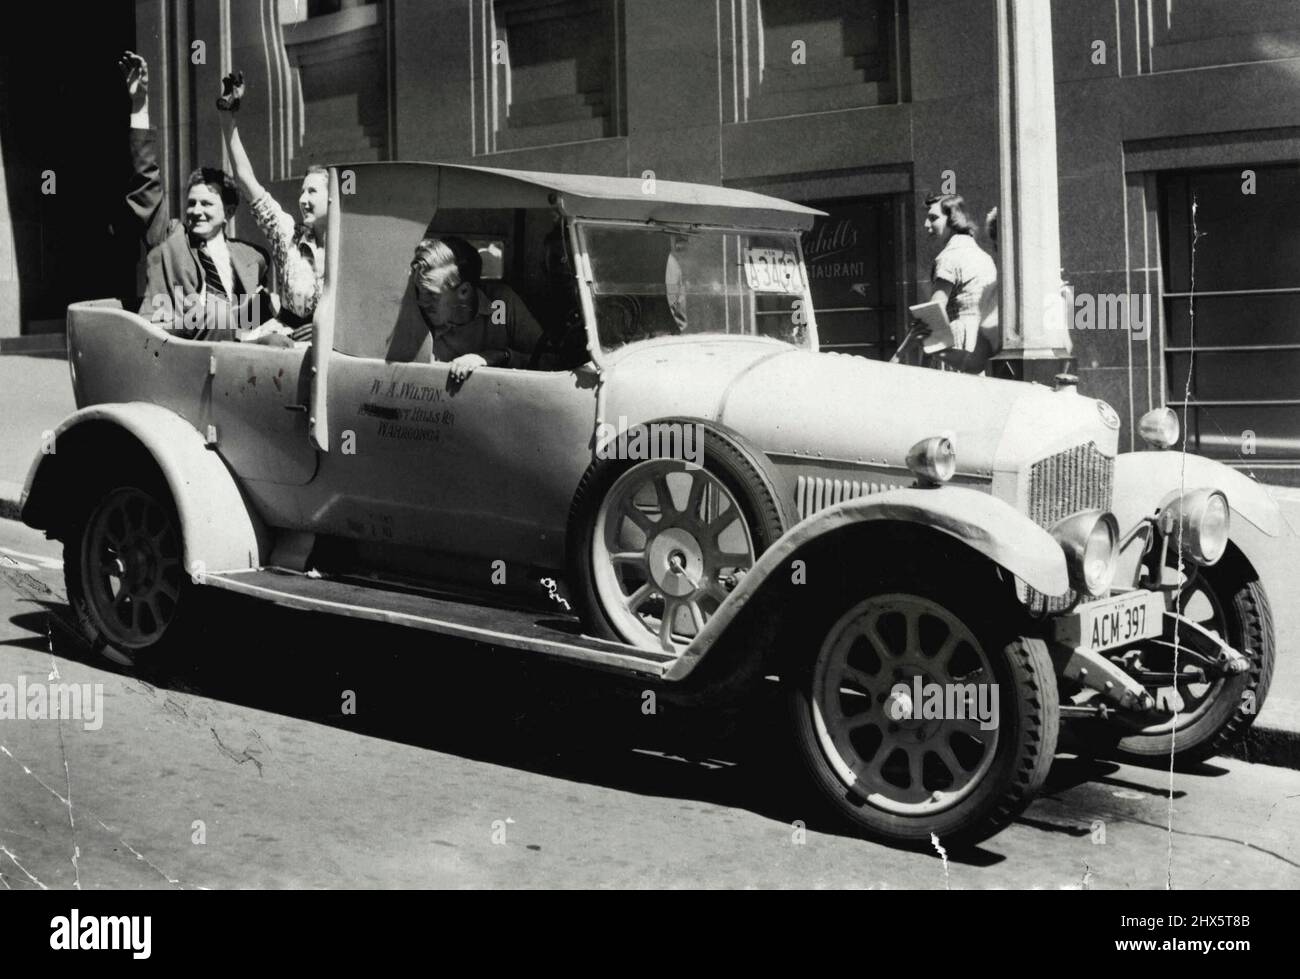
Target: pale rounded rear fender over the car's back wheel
{"points": [[218, 527]]}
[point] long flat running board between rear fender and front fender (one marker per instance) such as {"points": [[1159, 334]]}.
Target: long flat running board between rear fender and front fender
{"points": [[554, 635]]}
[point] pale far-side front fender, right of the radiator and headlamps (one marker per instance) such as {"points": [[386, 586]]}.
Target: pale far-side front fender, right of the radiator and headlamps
{"points": [[1146, 482]]}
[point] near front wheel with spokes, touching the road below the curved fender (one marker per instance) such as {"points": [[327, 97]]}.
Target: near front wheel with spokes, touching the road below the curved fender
{"points": [[885, 763]]}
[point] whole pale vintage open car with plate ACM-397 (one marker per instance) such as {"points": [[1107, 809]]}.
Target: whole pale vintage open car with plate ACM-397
{"points": [[939, 569]]}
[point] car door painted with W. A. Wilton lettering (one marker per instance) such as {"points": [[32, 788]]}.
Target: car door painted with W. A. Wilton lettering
{"points": [[486, 469]]}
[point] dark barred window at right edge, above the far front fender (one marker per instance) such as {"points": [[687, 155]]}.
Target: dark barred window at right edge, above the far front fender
{"points": [[1233, 311]]}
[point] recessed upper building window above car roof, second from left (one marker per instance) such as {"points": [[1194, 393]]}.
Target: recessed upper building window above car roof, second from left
{"points": [[552, 72]]}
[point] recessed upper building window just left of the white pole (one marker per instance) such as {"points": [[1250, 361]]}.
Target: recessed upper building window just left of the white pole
{"points": [[792, 58]]}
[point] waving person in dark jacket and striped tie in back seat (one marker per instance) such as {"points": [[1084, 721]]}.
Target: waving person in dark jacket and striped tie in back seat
{"points": [[201, 284]]}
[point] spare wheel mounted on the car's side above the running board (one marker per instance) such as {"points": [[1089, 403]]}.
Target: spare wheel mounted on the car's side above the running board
{"points": [[660, 544]]}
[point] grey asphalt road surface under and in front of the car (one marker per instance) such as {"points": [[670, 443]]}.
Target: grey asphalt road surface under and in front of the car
{"points": [[463, 766]]}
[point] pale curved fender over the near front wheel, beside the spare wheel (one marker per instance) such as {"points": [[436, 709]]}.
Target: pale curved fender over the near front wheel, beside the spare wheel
{"points": [[994, 529]]}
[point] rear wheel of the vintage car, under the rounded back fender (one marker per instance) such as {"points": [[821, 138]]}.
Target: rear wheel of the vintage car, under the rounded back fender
{"points": [[124, 571]]}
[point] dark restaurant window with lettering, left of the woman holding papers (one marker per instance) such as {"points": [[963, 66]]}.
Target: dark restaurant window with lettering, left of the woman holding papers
{"points": [[853, 257]]}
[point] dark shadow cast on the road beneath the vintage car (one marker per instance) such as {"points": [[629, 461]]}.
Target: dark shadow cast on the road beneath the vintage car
{"points": [[480, 703]]}
